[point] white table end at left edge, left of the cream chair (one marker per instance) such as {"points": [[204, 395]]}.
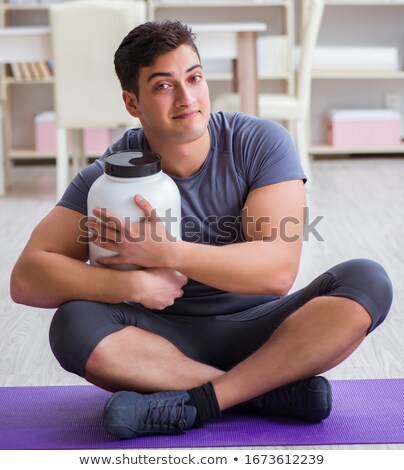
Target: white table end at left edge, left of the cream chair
{"points": [[20, 44]]}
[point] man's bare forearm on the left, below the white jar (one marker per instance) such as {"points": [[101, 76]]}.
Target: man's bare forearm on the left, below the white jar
{"points": [[45, 279]]}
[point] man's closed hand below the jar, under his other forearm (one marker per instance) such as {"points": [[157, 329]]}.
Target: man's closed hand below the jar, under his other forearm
{"points": [[157, 288]]}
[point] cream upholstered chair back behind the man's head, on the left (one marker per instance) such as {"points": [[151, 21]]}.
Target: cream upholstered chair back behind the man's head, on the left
{"points": [[85, 35]]}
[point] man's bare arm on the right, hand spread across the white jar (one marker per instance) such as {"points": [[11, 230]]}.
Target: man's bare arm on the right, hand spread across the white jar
{"points": [[267, 263]]}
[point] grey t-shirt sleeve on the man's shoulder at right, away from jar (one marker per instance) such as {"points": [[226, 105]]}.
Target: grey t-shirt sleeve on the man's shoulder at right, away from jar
{"points": [[268, 154]]}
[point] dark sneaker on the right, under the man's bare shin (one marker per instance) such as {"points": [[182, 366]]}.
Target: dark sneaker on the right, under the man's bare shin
{"points": [[308, 399]]}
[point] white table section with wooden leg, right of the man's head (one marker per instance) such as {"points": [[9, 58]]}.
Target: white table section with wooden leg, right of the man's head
{"points": [[234, 41]]}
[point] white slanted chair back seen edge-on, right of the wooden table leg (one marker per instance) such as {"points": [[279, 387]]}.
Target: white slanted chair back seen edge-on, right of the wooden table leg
{"points": [[312, 16]]}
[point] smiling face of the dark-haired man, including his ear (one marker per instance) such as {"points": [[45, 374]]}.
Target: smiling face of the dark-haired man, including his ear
{"points": [[173, 103]]}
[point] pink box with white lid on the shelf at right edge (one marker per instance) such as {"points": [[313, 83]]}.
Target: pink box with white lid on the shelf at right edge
{"points": [[363, 128]]}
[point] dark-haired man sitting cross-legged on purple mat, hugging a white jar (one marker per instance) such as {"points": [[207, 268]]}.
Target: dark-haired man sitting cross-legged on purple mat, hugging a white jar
{"points": [[180, 349]]}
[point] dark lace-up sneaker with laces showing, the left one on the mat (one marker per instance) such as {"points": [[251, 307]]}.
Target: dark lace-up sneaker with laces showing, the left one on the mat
{"points": [[131, 414]]}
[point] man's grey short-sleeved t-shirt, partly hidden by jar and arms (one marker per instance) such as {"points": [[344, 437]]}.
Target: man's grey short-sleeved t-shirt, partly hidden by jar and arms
{"points": [[246, 153]]}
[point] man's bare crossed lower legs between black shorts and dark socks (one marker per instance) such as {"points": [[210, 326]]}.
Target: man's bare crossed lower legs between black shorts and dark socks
{"points": [[315, 338]]}
